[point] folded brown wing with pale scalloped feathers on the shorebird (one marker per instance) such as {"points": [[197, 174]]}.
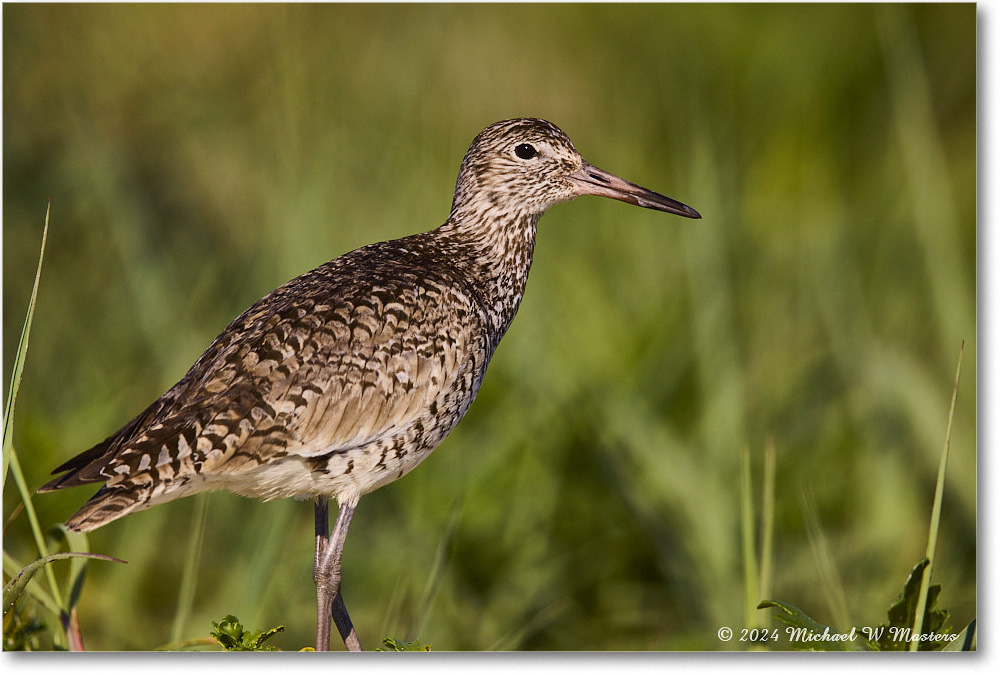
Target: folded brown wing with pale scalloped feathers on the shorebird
{"points": [[319, 365]]}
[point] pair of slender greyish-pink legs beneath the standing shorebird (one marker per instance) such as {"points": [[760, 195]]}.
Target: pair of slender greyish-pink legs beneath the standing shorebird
{"points": [[326, 574]]}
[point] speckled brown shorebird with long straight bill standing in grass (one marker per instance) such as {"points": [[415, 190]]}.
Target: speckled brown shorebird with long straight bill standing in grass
{"points": [[343, 379]]}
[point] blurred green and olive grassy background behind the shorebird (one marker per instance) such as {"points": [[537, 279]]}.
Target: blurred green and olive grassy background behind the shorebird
{"points": [[198, 156]]}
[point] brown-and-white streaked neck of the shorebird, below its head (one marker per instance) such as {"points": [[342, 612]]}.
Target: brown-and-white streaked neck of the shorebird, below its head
{"points": [[497, 248]]}
